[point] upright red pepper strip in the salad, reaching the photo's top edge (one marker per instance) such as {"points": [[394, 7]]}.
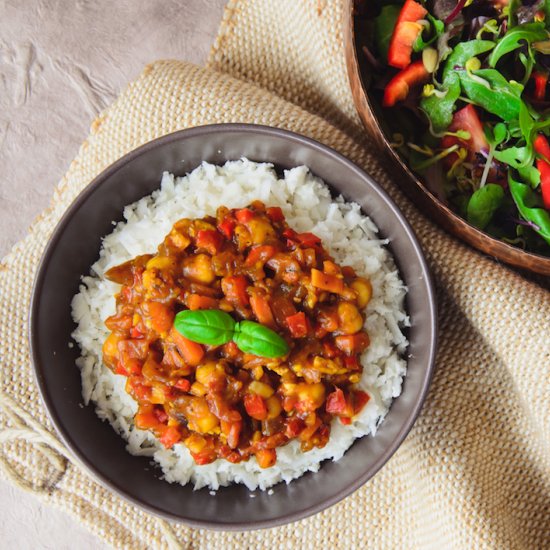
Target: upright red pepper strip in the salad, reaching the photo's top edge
{"points": [[406, 31]]}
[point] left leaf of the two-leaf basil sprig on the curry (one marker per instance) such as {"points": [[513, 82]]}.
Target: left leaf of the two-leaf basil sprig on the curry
{"points": [[205, 326]]}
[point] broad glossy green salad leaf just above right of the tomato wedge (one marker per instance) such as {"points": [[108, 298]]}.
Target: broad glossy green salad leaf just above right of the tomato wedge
{"points": [[503, 98]]}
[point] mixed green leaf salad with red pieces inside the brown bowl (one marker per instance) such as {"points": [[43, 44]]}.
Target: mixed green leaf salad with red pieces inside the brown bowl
{"points": [[465, 87]]}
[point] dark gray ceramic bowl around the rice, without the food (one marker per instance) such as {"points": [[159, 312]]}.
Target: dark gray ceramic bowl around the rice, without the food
{"points": [[75, 245]]}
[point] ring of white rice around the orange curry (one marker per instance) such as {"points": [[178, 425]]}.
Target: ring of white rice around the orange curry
{"points": [[307, 204]]}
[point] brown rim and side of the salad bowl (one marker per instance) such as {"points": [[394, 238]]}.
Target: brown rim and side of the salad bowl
{"points": [[416, 190]]}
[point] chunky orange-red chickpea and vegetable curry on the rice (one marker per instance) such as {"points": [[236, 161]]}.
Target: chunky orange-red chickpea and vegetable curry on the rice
{"points": [[217, 400]]}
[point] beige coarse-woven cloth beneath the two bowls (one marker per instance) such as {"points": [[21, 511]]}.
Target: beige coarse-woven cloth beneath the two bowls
{"points": [[474, 471]]}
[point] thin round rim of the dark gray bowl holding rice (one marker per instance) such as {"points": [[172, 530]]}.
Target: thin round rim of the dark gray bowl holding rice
{"points": [[37, 367]]}
